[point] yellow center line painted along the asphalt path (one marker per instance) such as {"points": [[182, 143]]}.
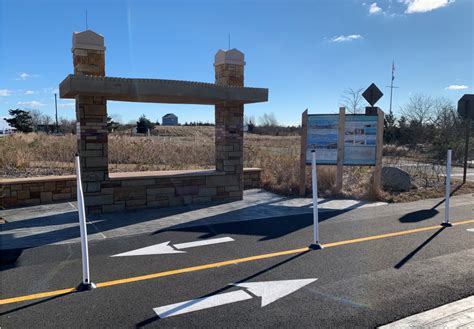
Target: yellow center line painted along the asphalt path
{"points": [[223, 263]]}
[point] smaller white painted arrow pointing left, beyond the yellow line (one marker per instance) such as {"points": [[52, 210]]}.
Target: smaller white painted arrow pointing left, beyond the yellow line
{"points": [[166, 248]]}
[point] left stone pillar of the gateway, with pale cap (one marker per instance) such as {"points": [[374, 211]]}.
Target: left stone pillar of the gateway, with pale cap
{"points": [[91, 113]]}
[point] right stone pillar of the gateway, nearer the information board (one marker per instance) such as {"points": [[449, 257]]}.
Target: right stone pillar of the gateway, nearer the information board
{"points": [[229, 70]]}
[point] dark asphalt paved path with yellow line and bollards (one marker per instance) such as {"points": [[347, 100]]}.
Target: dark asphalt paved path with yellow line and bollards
{"points": [[360, 282]]}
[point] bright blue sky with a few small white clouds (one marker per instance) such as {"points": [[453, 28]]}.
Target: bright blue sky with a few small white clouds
{"points": [[306, 52]]}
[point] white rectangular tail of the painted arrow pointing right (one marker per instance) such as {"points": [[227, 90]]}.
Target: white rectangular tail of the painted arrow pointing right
{"points": [[201, 303]]}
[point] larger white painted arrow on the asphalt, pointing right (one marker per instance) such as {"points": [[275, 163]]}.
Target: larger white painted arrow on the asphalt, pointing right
{"points": [[270, 291]]}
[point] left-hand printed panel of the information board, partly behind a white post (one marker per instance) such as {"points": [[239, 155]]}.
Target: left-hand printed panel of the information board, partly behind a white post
{"points": [[322, 134]]}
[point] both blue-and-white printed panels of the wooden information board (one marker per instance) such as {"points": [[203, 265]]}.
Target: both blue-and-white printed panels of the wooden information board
{"points": [[360, 132]]}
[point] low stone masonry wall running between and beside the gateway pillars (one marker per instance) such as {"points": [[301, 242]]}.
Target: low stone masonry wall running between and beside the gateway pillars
{"points": [[122, 192]]}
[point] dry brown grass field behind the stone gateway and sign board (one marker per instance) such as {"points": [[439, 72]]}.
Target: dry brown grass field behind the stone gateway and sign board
{"points": [[174, 148]]}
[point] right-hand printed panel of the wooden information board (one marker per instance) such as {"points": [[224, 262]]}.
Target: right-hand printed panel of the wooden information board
{"points": [[360, 139]]}
